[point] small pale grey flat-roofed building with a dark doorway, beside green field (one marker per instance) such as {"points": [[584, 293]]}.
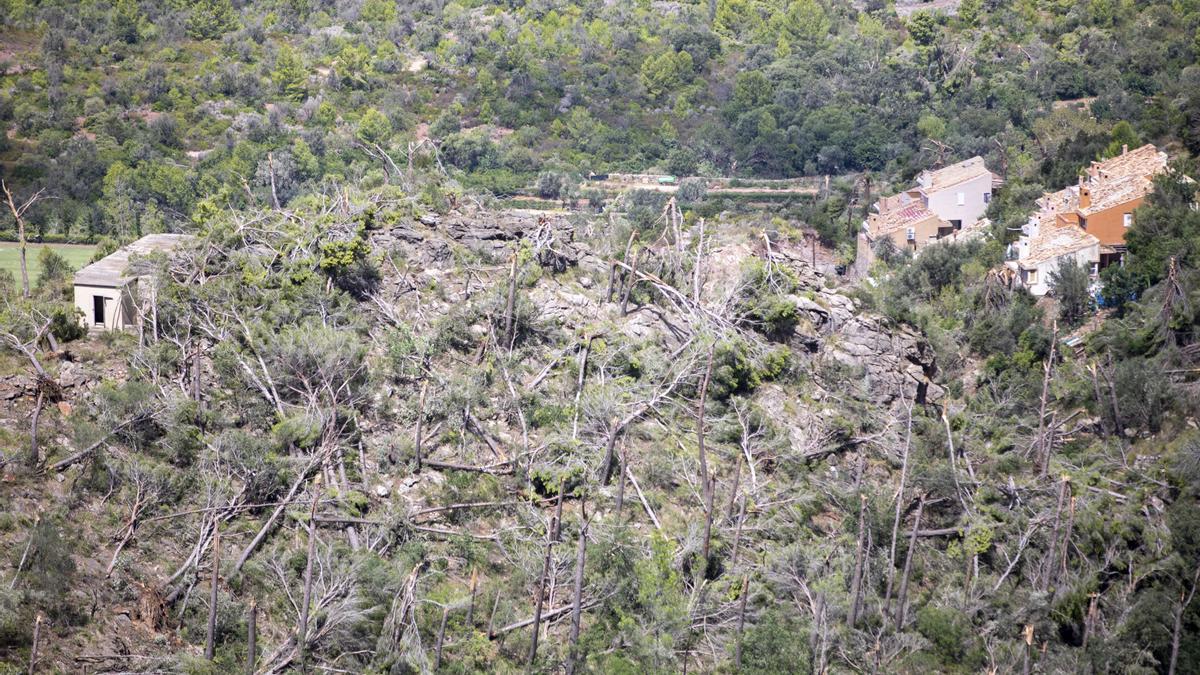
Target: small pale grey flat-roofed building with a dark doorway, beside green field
{"points": [[107, 291]]}
